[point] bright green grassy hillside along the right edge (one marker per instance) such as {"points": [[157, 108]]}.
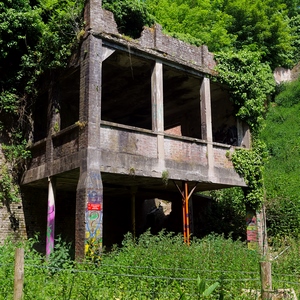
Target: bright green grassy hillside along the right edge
{"points": [[282, 172]]}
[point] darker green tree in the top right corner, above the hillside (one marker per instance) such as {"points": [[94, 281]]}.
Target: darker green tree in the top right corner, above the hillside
{"points": [[262, 26]]}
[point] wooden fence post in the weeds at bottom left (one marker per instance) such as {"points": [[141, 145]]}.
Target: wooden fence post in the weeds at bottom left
{"points": [[19, 274]]}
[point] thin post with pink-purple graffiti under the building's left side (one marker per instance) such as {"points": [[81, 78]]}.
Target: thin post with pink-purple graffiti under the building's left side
{"points": [[50, 216]]}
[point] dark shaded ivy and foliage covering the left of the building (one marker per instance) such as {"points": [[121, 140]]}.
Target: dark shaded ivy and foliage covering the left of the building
{"points": [[36, 38]]}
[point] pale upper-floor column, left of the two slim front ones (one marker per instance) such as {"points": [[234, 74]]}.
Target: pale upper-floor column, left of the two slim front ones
{"points": [[158, 106]]}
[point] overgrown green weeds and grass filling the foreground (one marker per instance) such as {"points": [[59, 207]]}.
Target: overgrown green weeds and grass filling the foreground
{"points": [[154, 267]]}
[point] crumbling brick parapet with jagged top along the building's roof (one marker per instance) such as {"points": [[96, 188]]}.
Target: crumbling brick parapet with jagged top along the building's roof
{"points": [[101, 22]]}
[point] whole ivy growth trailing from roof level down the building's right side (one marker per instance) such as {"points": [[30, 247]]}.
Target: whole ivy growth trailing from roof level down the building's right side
{"points": [[250, 83]]}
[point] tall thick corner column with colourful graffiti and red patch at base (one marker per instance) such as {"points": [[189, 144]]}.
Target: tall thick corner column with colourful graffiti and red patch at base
{"points": [[89, 196]]}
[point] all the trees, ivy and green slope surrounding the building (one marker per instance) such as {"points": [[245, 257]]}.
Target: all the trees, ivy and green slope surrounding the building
{"points": [[249, 40]]}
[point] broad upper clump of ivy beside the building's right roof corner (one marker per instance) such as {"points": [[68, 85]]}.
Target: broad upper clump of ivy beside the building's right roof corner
{"points": [[250, 83]]}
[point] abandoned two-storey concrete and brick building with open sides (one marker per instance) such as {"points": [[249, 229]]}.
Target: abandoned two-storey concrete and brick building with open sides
{"points": [[127, 122]]}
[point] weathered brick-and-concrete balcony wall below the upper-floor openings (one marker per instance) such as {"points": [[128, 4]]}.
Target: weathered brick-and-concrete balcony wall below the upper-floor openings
{"points": [[132, 151]]}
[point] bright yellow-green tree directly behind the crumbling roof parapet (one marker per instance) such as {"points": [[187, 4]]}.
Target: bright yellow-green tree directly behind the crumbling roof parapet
{"points": [[197, 22]]}
